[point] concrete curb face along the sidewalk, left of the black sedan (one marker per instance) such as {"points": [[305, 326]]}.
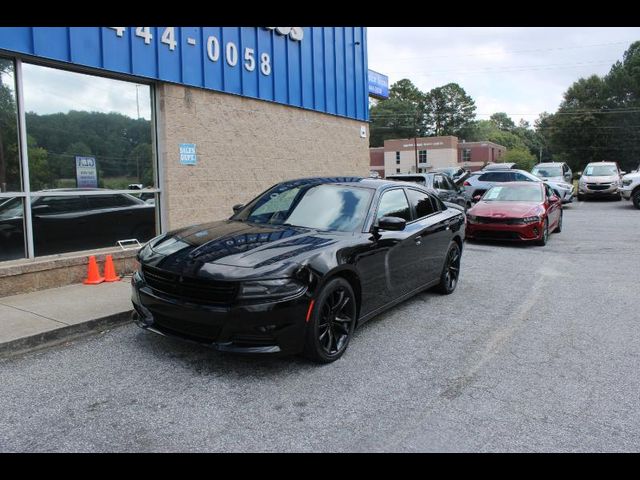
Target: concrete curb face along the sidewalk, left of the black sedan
{"points": [[57, 336]]}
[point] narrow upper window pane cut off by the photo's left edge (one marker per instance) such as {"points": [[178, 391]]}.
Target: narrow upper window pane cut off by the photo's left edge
{"points": [[9, 153]]}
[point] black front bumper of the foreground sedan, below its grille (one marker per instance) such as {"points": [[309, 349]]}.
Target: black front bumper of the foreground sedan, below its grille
{"points": [[276, 327]]}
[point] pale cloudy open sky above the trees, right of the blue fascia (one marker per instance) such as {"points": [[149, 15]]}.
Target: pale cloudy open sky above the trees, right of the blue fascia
{"points": [[522, 71]]}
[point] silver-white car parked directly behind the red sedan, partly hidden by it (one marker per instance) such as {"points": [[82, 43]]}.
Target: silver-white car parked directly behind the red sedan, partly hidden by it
{"points": [[480, 182]]}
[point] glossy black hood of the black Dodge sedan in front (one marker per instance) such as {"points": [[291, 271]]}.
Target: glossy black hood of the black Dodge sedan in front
{"points": [[231, 243]]}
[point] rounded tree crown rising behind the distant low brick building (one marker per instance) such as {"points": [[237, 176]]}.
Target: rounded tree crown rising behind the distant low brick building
{"points": [[448, 109]]}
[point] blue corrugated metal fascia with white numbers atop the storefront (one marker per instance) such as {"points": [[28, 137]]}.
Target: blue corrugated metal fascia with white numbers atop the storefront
{"points": [[317, 68]]}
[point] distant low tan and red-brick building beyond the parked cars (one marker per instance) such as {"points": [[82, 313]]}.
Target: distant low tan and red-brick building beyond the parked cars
{"points": [[421, 155]]}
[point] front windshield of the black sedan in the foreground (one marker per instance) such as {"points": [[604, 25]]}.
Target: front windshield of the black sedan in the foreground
{"points": [[322, 207]]}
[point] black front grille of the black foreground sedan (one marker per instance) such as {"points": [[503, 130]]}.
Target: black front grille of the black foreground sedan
{"points": [[186, 288]]}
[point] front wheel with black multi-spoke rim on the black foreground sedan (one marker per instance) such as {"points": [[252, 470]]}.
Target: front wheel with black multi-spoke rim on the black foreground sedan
{"points": [[332, 322]]}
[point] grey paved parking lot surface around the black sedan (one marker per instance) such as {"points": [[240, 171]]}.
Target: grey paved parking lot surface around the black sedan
{"points": [[537, 350]]}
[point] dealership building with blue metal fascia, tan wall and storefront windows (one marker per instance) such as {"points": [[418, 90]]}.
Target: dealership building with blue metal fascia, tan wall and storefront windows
{"points": [[118, 133]]}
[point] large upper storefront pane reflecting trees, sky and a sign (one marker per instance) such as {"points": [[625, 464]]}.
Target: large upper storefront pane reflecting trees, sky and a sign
{"points": [[85, 131]]}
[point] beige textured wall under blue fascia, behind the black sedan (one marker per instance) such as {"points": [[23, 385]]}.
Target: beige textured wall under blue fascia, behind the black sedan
{"points": [[244, 146]]}
